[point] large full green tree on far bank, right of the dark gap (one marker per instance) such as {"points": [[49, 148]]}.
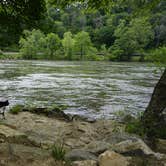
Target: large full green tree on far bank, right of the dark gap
{"points": [[133, 37]]}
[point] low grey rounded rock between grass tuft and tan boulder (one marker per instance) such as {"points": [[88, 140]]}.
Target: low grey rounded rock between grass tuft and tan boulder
{"points": [[79, 154]]}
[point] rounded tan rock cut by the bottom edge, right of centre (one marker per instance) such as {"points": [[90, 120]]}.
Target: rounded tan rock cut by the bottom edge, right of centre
{"points": [[110, 158]]}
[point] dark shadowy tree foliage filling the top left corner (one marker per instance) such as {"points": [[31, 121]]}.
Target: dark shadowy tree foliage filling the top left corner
{"points": [[16, 15]]}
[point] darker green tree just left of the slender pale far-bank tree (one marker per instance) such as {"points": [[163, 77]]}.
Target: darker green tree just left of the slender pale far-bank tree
{"points": [[53, 43]]}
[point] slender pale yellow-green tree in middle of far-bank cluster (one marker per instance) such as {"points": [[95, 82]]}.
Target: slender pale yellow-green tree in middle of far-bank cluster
{"points": [[68, 44]]}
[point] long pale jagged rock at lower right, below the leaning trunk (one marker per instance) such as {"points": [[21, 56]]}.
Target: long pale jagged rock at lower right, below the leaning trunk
{"points": [[131, 147]]}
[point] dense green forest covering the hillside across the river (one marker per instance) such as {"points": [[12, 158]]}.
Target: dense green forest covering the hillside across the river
{"points": [[75, 32]]}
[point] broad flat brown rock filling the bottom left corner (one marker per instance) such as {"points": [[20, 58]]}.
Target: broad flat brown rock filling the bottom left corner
{"points": [[16, 154]]}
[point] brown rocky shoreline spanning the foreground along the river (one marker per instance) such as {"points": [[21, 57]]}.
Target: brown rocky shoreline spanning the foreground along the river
{"points": [[26, 140]]}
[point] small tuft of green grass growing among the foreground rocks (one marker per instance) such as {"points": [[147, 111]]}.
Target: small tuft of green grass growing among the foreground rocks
{"points": [[58, 152]]}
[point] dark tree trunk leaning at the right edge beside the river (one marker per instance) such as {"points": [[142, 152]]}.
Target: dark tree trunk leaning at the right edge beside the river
{"points": [[154, 118]]}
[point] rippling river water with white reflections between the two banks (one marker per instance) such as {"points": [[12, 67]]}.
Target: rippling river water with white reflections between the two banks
{"points": [[93, 89]]}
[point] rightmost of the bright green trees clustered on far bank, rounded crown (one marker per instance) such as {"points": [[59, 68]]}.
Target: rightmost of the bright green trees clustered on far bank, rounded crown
{"points": [[82, 43]]}
